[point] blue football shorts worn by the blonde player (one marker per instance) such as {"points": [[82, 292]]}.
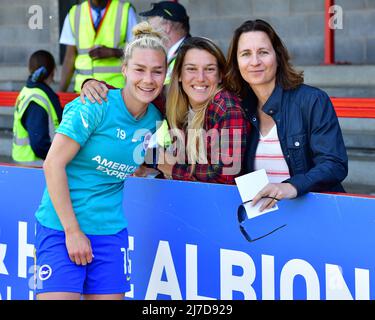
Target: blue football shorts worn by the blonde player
{"points": [[108, 273]]}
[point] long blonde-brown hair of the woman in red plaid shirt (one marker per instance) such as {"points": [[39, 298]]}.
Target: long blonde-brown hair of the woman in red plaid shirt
{"points": [[177, 106]]}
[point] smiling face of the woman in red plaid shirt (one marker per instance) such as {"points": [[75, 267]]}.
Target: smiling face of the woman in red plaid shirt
{"points": [[200, 76]]}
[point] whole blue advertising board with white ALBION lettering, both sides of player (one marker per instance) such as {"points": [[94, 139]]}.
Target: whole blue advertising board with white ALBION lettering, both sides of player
{"points": [[185, 242]]}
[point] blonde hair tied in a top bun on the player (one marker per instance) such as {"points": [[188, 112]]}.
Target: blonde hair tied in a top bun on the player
{"points": [[145, 37]]}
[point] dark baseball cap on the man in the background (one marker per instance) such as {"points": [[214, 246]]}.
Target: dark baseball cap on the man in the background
{"points": [[169, 10]]}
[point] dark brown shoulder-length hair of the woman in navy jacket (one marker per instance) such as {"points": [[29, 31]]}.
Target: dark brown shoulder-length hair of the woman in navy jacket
{"points": [[286, 76]]}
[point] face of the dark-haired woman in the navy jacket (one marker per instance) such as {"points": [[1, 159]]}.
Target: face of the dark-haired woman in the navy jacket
{"points": [[257, 60]]}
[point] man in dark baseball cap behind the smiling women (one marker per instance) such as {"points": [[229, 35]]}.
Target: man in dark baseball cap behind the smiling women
{"points": [[170, 17]]}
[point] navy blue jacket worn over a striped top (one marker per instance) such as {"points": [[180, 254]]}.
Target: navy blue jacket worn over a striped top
{"points": [[309, 134]]}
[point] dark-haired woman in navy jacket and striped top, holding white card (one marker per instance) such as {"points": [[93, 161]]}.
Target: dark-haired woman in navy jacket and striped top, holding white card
{"points": [[299, 120]]}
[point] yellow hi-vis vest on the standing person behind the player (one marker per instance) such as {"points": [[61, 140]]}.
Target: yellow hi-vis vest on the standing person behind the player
{"points": [[111, 33]]}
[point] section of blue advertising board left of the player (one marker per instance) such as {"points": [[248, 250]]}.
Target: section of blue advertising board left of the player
{"points": [[20, 193]]}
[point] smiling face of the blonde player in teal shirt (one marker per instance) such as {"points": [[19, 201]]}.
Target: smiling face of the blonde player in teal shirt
{"points": [[145, 74]]}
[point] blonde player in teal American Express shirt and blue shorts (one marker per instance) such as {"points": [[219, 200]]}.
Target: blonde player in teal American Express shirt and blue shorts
{"points": [[82, 239]]}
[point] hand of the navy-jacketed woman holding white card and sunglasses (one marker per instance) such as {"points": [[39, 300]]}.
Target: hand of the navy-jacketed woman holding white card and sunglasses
{"points": [[274, 192]]}
